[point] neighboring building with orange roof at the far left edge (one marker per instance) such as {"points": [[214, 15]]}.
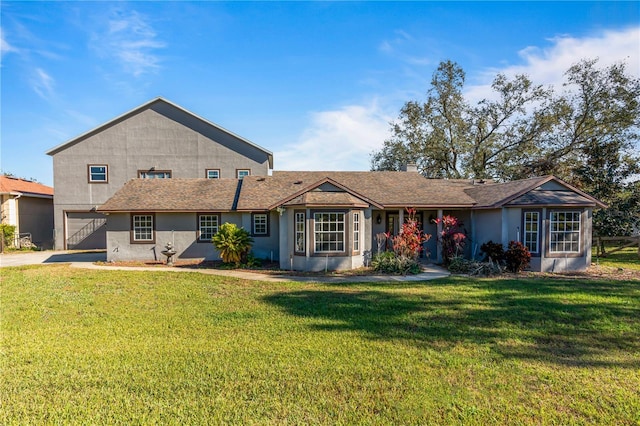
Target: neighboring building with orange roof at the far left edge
{"points": [[28, 206]]}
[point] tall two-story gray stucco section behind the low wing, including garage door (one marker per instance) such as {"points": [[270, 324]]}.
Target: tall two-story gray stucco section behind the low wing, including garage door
{"points": [[156, 140]]}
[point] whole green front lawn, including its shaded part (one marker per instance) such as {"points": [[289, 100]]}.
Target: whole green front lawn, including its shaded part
{"points": [[126, 347]]}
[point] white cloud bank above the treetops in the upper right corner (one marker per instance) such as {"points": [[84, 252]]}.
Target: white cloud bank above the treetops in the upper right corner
{"points": [[547, 65]]}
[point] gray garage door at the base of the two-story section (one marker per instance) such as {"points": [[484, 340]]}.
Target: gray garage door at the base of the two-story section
{"points": [[86, 231]]}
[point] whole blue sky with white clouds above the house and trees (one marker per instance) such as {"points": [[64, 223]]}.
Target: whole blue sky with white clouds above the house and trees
{"points": [[317, 83]]}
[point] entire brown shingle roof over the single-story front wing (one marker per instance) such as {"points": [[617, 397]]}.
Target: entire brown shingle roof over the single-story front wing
{"points": [[379, 189]]}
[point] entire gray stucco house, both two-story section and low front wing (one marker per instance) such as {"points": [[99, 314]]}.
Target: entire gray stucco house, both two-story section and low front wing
{"points": [[107, 197]]}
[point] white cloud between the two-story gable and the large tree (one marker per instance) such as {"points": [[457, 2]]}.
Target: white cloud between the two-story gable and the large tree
{"points": [[341, 139]]}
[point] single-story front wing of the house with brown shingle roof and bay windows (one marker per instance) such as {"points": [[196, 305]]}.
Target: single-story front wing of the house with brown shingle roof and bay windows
{"points": [[313, 221]]}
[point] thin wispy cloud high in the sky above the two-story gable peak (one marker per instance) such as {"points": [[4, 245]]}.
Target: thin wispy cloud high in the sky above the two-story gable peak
{"points": [[131, 41]]}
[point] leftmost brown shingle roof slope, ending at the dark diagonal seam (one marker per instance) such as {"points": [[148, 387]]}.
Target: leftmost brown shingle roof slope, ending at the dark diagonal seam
{"points": [[173, 195]]}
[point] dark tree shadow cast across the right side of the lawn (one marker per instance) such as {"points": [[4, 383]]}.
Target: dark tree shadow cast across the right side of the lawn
{"points": [[564, 322]]}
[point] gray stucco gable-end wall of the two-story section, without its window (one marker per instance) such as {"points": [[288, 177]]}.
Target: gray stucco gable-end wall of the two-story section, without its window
{"points": [[161, 137]]}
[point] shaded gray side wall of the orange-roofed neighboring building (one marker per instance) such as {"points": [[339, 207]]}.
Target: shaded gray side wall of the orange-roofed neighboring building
{"points": [[35, 215]]}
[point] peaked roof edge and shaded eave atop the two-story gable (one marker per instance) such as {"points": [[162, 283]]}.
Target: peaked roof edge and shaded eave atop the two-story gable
{"points": [[184, 117]]}
